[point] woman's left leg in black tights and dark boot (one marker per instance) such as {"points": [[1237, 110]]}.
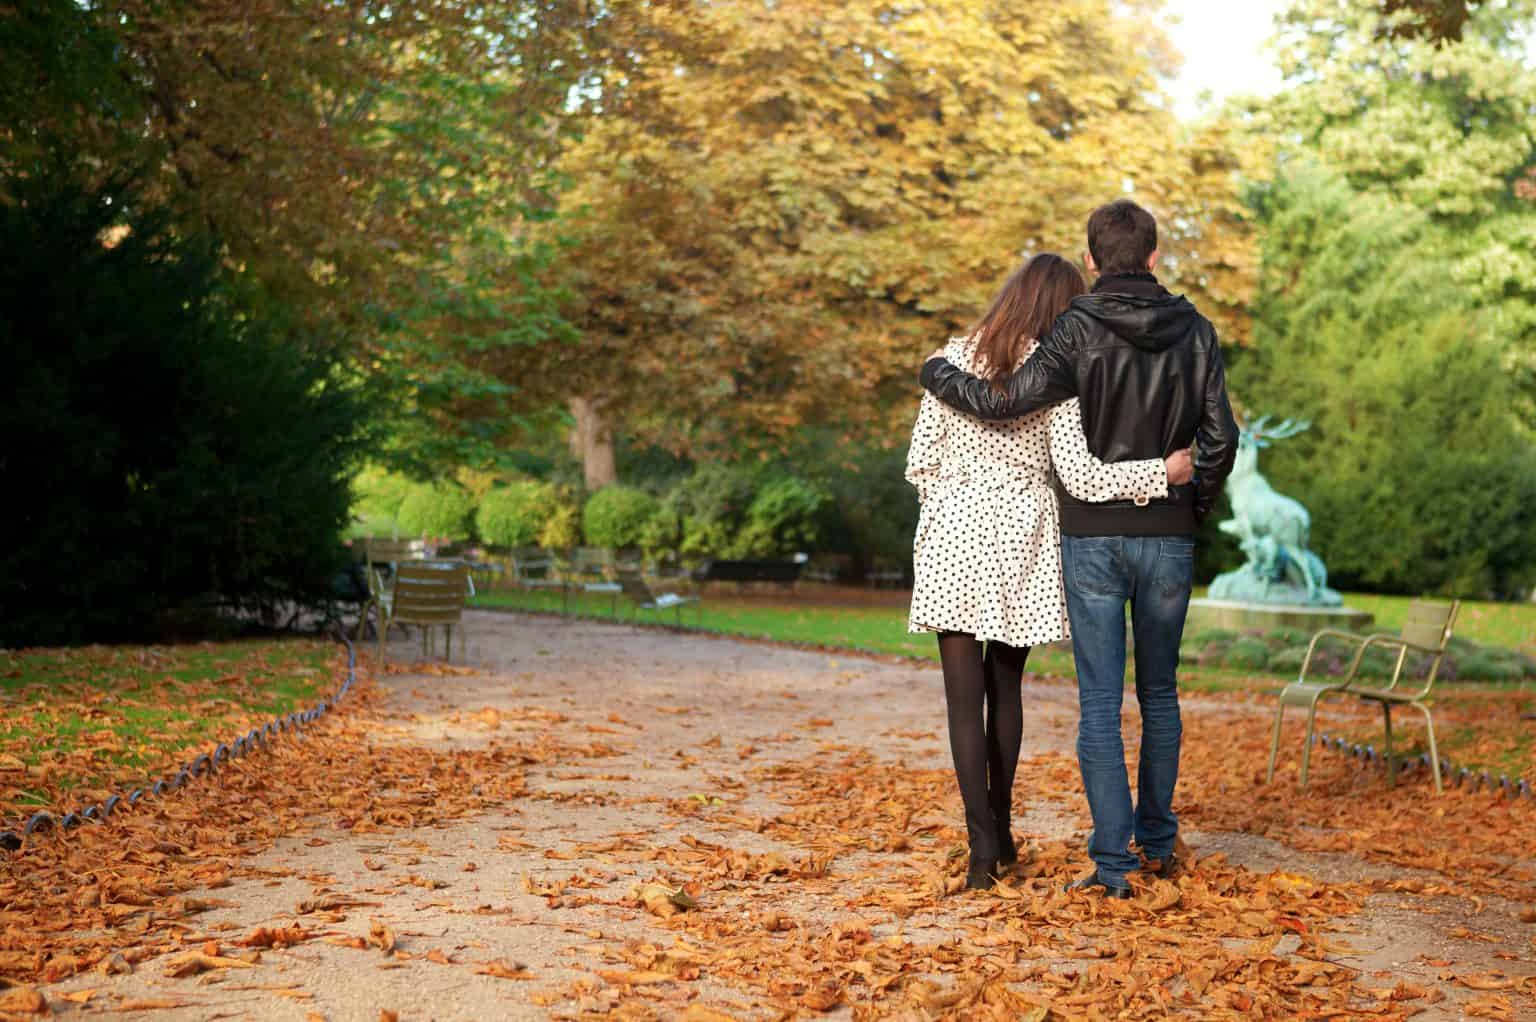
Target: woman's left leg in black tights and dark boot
{"points": [[965, 694]]}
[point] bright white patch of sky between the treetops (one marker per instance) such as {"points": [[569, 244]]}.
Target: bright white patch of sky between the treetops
{"points": [[1223, 44]]}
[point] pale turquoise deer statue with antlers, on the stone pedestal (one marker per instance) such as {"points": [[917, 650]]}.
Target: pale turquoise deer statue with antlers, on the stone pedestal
{"points": [[1273, 529]]}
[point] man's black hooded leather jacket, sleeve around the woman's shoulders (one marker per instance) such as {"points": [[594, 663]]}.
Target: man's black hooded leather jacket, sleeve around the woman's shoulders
{"points": [[1148, 370]]}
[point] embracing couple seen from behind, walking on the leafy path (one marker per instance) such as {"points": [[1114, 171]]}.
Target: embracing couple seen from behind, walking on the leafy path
{"points": [[1054, 468]]}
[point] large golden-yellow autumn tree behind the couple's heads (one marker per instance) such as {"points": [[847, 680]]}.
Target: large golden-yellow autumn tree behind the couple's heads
{"points": [[778, 210]]}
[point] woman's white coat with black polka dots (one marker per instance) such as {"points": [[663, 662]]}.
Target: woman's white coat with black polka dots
{"points": [[988, 552]]}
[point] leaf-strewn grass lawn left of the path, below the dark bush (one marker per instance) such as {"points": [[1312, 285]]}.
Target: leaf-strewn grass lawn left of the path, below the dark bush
{"points": [[79, 722]]}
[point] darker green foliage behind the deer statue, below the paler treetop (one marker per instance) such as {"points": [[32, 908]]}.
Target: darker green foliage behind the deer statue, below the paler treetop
{"points": [[1418, 473]]}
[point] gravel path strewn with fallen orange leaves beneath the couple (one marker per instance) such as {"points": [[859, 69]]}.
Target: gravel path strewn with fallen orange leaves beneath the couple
{"points": [[606, 823]]}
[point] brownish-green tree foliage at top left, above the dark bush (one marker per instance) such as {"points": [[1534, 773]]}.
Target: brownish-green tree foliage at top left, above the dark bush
{"points": [[369, 170]]}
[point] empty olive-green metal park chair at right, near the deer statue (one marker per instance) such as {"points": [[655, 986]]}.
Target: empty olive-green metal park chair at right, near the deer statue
{"points": [[1428, 629]]}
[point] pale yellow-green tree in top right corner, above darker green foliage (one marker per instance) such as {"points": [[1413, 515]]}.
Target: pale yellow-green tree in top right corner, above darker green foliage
{"points": [[1445, 128]]}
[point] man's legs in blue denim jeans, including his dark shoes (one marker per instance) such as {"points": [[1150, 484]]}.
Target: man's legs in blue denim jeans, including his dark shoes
{"points": [[1156, 576]]}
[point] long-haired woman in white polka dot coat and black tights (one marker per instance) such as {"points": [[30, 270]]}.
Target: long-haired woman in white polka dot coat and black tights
{"points": [[988, 551]]}
